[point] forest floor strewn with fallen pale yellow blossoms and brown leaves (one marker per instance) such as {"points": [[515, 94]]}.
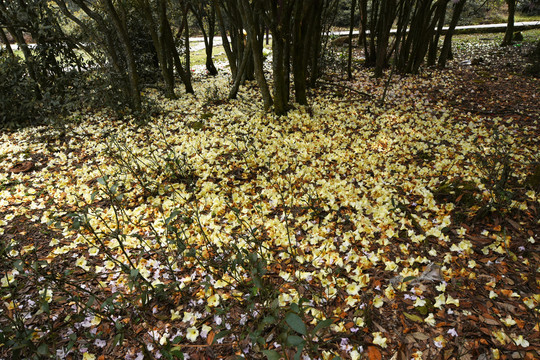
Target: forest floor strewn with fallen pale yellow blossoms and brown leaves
{"points": [[347, 229]]}
